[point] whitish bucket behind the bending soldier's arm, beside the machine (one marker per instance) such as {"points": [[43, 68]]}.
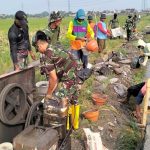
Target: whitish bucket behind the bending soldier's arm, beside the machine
{"points": [[42, 87]]}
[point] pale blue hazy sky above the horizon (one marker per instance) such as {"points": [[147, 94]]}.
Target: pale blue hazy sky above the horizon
{"points": [[38, 6]]}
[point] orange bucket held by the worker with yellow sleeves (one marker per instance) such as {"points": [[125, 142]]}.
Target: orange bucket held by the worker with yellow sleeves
{"points": [[92, 46]]}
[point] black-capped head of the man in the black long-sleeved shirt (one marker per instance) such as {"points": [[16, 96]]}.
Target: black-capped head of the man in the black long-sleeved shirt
{"points": [[21, 16]]}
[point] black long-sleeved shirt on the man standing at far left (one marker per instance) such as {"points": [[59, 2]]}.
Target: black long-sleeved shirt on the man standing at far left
{"points": [[18, 40]]}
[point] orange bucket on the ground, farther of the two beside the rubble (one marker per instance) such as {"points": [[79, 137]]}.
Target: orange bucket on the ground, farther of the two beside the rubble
{"points": [[99, 99]]}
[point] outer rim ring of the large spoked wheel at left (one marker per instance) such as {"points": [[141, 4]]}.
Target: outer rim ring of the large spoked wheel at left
{"points": [[17, 119]]}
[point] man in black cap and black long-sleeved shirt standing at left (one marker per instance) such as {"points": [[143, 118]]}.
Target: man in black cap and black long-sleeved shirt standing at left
{"points": [[20, 46]]}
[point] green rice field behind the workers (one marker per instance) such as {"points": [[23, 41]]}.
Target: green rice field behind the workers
{"points": [[41, 23]]}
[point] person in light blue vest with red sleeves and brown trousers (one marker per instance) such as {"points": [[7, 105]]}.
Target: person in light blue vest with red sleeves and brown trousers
{"points": [[102, 33]]}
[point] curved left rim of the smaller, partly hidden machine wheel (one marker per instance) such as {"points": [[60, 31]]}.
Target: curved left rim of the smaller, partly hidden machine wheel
{"points": [[31, 111]]}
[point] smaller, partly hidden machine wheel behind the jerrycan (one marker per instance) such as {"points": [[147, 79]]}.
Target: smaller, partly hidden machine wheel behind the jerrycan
{"points": [[35, 114]]}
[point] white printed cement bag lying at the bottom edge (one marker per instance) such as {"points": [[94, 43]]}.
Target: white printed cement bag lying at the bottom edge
{"points": [[93, 141]]}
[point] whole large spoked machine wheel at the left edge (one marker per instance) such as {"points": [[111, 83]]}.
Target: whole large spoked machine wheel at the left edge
{"points": [[13, 104]]}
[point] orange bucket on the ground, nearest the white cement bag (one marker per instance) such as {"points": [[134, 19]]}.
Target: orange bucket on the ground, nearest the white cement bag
{"points": [[91, 115]]}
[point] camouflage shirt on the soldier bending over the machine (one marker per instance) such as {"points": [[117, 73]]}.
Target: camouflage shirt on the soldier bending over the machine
{"points": [[61, 61]]}
